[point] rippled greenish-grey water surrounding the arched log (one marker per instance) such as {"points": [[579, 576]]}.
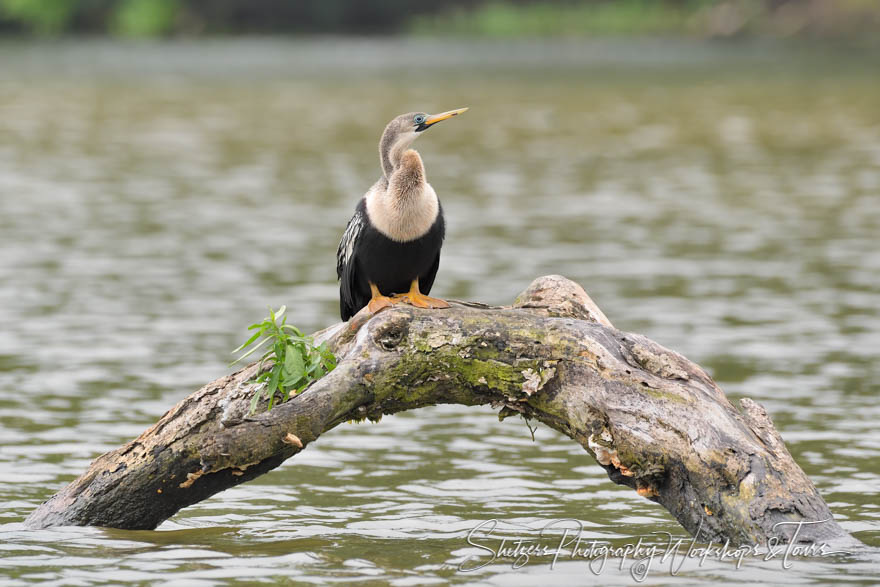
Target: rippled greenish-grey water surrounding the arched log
{"points": [[154, 200]]}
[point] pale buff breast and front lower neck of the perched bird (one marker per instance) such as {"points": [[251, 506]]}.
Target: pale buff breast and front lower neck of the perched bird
{"points": [[404, 206]]}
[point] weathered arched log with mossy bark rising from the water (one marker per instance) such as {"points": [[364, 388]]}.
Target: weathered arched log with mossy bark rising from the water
{"points": [[654, 420]]}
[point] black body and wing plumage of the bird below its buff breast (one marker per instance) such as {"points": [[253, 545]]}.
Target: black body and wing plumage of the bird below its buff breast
{"points": [[365, 256]]}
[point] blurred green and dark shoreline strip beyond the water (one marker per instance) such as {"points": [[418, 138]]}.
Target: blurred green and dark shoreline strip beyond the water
{"points": [[836, 19]]}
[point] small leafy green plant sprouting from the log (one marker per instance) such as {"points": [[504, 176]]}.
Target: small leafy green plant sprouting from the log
{"points": [[296, 361]]}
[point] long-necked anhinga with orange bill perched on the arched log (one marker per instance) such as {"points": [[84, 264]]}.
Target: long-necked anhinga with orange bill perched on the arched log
{"points": [[390, 250]]}
